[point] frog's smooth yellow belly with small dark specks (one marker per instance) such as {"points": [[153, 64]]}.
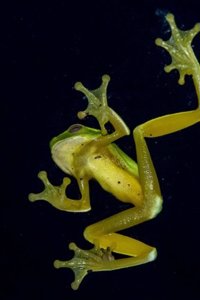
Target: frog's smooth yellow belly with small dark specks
{"points": [[123, 185]]}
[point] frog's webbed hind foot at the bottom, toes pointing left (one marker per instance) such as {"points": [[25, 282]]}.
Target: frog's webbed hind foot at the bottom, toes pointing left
{"points": [[84, 262]]}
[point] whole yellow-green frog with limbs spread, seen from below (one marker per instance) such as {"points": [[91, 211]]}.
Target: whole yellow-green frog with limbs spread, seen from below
{"points": [[87, 153]]}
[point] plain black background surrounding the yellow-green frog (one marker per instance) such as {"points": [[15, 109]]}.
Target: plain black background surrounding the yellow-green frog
{"points": [[45, 48]]}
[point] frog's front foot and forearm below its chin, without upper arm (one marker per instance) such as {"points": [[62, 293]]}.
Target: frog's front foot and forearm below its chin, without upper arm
{"points": [[56, 196]]}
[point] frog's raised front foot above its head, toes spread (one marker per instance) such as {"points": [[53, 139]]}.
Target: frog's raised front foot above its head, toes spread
{"points": [[97, 102]]}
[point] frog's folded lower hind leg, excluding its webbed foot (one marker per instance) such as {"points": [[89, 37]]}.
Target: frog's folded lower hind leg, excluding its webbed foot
{"points": [[103, 235]]}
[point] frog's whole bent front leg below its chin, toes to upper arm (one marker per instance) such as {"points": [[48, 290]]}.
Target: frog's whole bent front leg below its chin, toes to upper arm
{"points": [[56, 195]]}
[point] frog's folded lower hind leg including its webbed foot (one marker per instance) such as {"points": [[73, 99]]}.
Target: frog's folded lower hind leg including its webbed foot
{"points": [[106, 242]]}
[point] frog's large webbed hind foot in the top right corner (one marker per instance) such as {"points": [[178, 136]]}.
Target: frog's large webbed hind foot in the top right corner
{"points": [[180, 49]]}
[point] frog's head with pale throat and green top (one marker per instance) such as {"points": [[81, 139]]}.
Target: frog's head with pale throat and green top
{"points": [[66, 145]]}
